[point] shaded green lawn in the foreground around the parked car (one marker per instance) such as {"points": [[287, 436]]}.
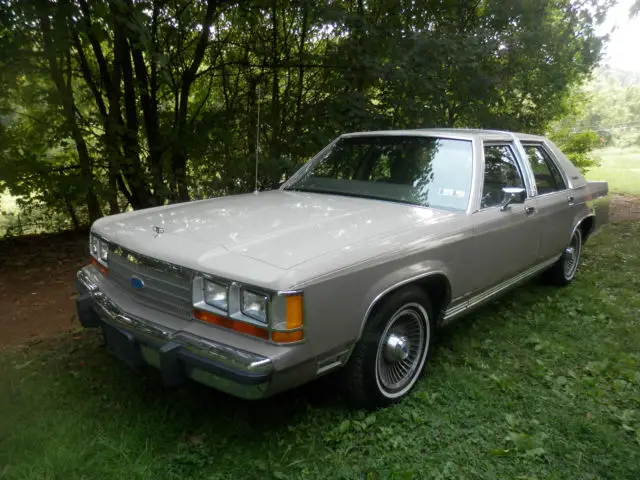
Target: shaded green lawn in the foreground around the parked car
{"points": [[544, 384]]}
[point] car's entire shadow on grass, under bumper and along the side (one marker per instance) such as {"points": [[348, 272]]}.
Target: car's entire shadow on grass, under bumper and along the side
{"points": [[136, 390]]}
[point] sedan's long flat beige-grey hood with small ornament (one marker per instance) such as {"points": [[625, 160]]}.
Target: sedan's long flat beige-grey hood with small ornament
{"points": [[279, 228]]}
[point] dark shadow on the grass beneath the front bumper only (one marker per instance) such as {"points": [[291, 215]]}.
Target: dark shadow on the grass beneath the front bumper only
{"points": [[107, 384]]}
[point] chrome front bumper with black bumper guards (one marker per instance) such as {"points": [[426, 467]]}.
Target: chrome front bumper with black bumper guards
{"points": [[178, 355]]}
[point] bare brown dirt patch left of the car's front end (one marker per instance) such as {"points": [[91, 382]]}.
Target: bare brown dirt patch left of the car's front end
{"points": [[37, 285]]}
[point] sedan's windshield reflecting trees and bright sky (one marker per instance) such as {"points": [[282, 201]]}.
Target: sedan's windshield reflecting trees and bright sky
{"points": [[427, 171]]}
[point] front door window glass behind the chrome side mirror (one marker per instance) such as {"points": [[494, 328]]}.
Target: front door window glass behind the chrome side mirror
{"points": [[500, 170]]}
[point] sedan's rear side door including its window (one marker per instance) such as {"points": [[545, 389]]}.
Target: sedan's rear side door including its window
{"points": [[555, 202]]}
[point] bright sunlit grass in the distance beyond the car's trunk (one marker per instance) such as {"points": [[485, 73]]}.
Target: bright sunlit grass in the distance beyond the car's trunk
{"points": [[620, 167]]}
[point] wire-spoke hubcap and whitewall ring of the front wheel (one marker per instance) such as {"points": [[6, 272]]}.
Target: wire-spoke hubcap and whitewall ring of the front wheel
{"points": [[402, 350]]}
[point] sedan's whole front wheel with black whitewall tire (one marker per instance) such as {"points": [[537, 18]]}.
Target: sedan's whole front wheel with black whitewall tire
{"points": [[391, 354]]}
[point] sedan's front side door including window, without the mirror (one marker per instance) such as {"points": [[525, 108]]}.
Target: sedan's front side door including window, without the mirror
{"points": [[506, 240]]}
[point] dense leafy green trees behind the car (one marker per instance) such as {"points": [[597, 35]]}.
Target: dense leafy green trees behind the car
{"points": [[108, 105]]}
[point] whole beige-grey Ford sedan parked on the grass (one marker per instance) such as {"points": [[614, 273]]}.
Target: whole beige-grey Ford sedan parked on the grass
{"points": [[351, 265]]}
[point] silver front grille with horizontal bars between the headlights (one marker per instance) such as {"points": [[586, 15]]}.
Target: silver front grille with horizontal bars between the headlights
{"points": [[166, 287]]}
